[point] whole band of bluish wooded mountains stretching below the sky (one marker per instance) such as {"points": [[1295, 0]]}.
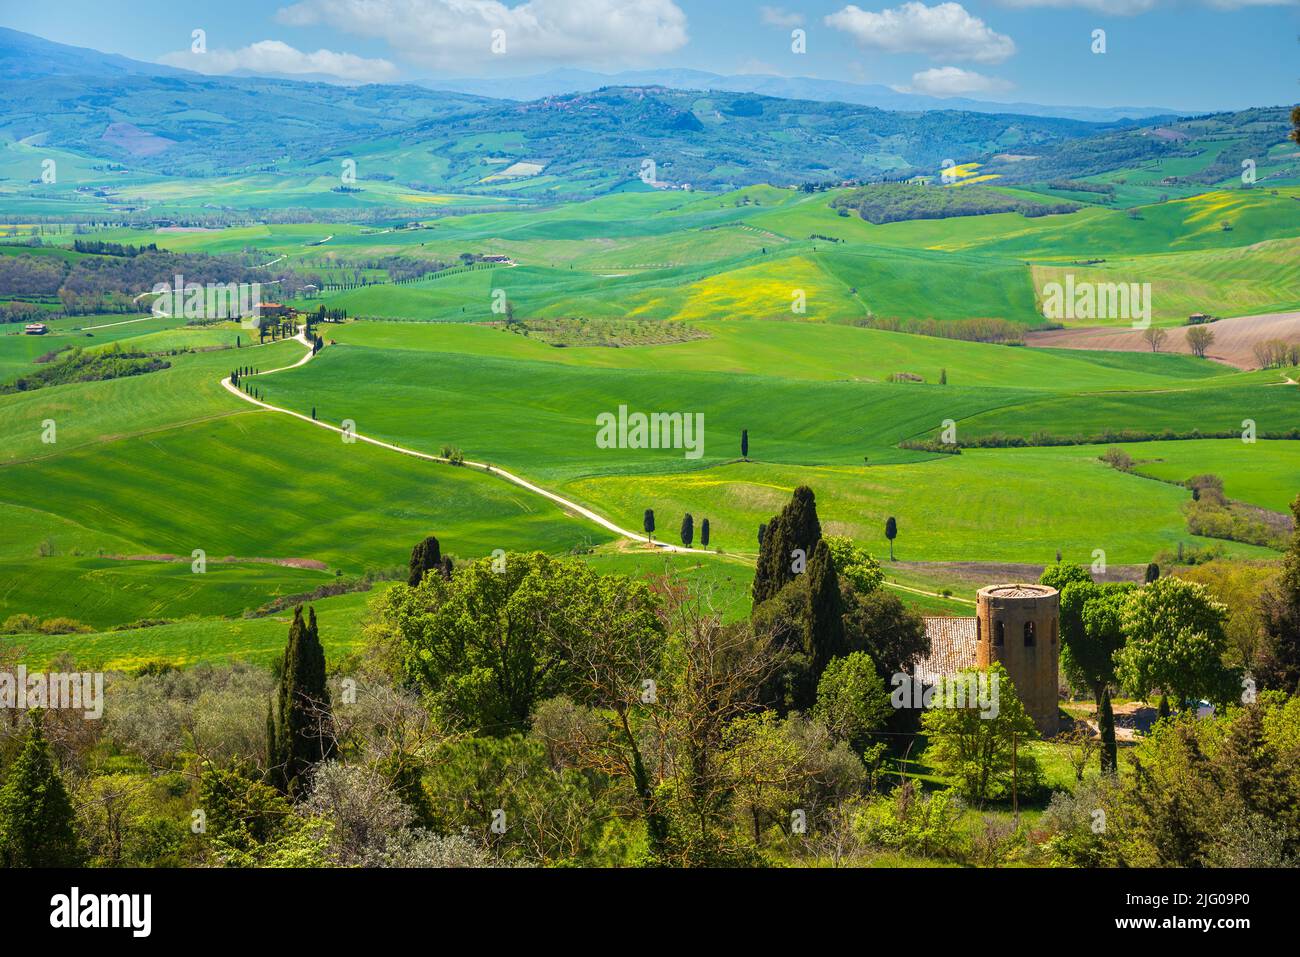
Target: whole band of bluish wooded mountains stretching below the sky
{"points": [[536, 138]]}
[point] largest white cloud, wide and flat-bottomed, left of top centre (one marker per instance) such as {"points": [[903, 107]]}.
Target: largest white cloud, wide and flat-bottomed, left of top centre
{"points": [[460, 33]]}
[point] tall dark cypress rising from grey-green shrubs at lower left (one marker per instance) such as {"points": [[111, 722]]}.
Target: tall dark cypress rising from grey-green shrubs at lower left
{"points": [[304, 730]]}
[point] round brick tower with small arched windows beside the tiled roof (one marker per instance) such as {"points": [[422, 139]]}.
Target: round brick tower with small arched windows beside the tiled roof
{"points": [[1020, 627]]}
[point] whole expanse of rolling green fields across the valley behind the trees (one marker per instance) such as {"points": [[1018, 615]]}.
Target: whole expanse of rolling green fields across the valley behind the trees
{"points": [[167, 464]]}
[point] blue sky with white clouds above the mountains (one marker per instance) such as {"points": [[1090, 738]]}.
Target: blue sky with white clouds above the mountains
{"points": [[1188, 55]]}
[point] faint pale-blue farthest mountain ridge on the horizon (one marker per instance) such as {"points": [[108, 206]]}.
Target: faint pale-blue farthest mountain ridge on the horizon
{"points": [[567, 81]]}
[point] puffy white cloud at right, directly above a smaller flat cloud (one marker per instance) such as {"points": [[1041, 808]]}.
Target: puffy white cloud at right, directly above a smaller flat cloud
{"points": [[944, 32]]}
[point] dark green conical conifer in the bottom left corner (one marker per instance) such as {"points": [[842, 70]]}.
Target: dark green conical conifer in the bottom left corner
{"points": [[36, 813]]}
